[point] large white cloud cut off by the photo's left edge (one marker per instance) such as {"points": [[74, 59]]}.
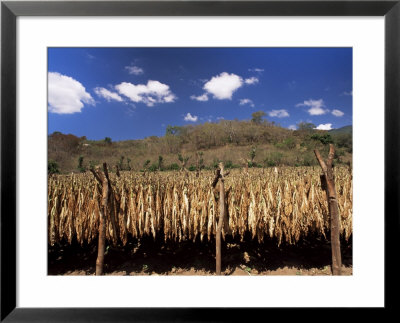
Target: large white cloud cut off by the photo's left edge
{"points": [[66, 95]]}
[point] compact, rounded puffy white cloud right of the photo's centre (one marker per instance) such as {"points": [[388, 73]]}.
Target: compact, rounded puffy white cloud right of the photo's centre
{"points": [[223, 86]]}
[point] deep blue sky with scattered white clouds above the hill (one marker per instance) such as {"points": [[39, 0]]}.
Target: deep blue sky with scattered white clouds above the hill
{"points": [[132, 93]]}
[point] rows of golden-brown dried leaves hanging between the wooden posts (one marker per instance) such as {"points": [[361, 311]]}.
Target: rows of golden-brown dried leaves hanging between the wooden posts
{"points": [[285, 205]]}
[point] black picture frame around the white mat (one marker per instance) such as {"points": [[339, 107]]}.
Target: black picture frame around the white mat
{"points": [[10, 10]]}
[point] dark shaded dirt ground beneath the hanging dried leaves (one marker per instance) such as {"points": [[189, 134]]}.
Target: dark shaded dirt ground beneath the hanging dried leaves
{"points": [[148, 257]]}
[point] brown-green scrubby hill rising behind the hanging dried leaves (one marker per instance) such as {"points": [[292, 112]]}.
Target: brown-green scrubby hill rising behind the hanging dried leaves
{"points": [[236, 143]]}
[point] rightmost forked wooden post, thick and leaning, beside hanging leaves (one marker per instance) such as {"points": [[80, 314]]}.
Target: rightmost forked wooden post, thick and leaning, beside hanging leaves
{"points": [[328, 184]]}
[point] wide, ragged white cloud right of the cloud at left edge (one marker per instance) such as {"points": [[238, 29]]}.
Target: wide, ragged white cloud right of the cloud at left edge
{"points": [[150, 94]]}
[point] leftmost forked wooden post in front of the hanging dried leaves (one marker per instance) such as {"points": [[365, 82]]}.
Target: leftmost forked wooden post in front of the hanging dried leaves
{"points": [[103, 180]]}
